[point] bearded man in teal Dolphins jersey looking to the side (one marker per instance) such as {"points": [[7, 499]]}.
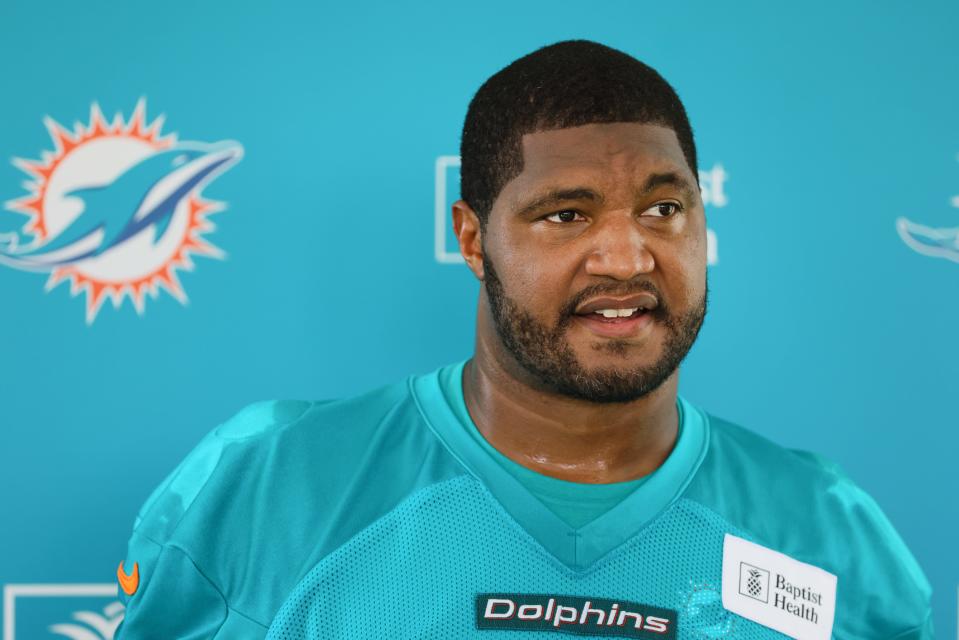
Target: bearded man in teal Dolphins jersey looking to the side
{"points": [[554, 482]]}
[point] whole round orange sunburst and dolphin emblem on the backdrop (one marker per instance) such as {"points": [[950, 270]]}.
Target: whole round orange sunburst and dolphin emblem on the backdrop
{"points": [[116, 209]]}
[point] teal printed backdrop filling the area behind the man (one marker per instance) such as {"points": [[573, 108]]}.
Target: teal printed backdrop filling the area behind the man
{"points": [[828, 136]]}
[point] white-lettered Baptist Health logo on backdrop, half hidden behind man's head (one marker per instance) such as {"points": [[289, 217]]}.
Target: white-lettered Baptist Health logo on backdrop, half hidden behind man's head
{"points": [[445, 248]]}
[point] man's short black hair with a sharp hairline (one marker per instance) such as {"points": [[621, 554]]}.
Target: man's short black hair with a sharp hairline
{"points": [[567, 84]]}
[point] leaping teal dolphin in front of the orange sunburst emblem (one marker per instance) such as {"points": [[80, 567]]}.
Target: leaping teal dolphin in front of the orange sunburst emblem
{"points": [[146, 194]]}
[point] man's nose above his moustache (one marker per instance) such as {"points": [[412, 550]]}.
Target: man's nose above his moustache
{"points": [[619, 249]]}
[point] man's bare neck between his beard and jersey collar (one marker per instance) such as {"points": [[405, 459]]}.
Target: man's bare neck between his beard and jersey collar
{"points": [[566, 438]]}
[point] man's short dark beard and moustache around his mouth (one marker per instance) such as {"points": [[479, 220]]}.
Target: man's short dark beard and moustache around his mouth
{"points": [[545, 353]]}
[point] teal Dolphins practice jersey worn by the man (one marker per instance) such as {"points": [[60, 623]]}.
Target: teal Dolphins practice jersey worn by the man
{"points": [[383, 516]]}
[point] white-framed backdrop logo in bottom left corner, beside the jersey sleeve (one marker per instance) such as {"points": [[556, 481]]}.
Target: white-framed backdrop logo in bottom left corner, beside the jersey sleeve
{"points": [[27, 611]]}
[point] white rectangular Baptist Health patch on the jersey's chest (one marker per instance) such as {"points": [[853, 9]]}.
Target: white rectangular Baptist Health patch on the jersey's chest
{"points": [[770, 588]]}
